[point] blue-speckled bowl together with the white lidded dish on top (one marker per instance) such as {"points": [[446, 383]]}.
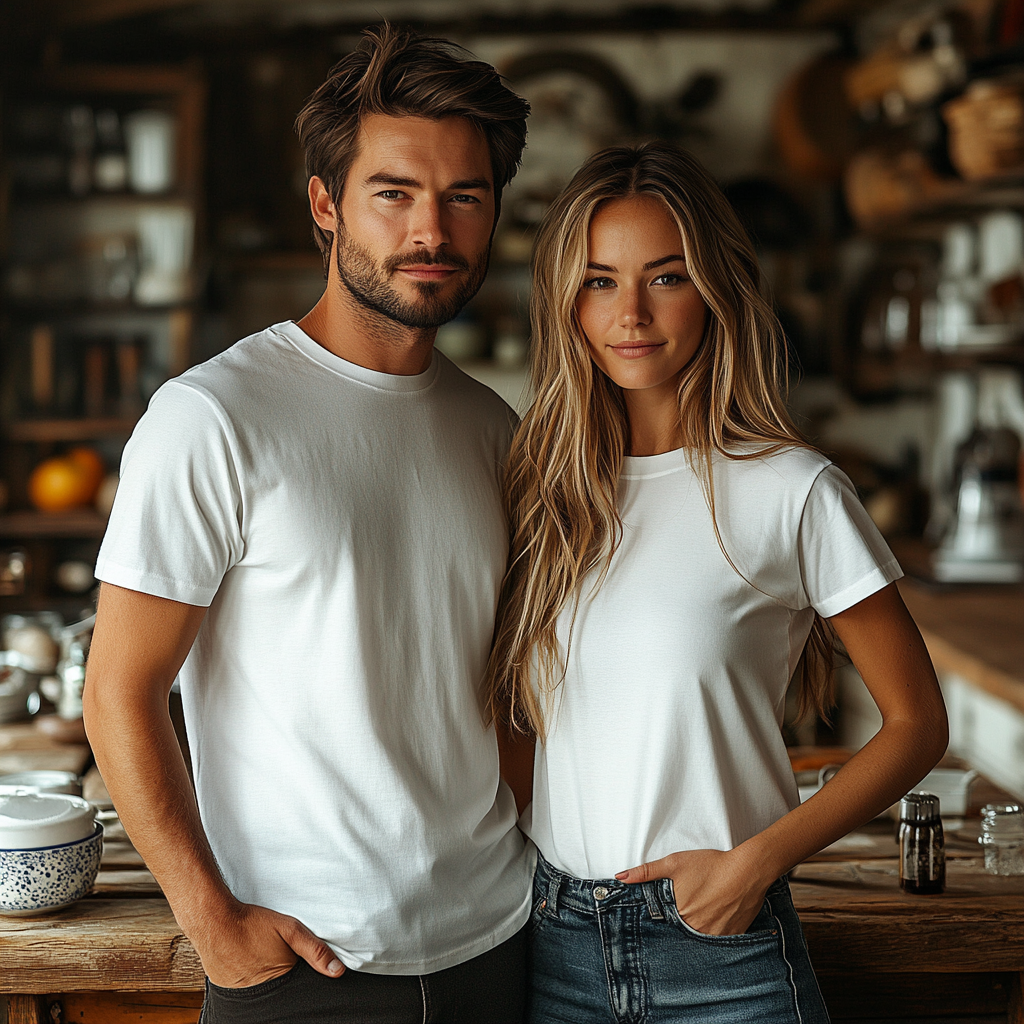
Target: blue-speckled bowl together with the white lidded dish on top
{"points": [[51, 845]]}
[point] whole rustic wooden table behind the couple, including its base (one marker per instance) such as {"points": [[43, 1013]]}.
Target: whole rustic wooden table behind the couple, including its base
{"points": [[881, 955]]}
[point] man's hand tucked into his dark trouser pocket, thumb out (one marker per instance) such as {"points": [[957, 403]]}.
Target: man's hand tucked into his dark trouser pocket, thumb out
{"points": [[253, 945]]}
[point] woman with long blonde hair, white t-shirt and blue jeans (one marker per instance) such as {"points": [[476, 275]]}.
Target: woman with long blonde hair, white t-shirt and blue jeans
{"points": [[678, 553]]}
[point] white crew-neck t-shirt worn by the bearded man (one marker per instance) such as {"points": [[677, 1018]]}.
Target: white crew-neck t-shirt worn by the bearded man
{"points": [[346, 529]]}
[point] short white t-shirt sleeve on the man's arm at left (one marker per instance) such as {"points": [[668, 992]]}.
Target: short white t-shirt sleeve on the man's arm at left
{"points": [[176, 527]]}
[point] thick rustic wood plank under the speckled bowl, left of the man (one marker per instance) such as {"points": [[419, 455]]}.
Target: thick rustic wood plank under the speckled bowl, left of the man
{"points": [[100, 946]]}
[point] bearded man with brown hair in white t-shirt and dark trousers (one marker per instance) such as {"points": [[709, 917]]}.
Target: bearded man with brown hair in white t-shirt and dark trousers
{"points": [[309, 530]]}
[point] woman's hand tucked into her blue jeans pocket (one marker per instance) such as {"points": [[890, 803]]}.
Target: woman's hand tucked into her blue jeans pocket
{"points": [[717, 893]]}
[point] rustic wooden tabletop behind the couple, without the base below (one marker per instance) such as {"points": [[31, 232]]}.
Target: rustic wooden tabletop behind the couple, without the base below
{"points": [[855, 915]]}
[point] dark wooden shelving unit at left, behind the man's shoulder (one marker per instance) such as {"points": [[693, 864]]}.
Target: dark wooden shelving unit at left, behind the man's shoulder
{"points": [[80, 360]]}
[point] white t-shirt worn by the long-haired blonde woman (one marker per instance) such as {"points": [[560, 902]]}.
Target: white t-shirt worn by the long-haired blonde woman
{"points": [[665, 735]]}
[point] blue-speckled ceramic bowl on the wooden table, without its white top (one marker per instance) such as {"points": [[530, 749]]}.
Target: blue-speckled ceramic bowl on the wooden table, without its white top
{"points": [[50, 878]]}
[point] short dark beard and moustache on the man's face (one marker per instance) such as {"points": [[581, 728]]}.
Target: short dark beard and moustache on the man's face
{"points": [[370, 284]]}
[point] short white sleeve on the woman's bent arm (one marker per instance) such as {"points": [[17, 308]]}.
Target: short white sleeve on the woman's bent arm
{"points": [[843, 559]]}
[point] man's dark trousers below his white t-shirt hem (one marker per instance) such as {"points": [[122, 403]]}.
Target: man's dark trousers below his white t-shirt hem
{"points": [[489, 990]]}
